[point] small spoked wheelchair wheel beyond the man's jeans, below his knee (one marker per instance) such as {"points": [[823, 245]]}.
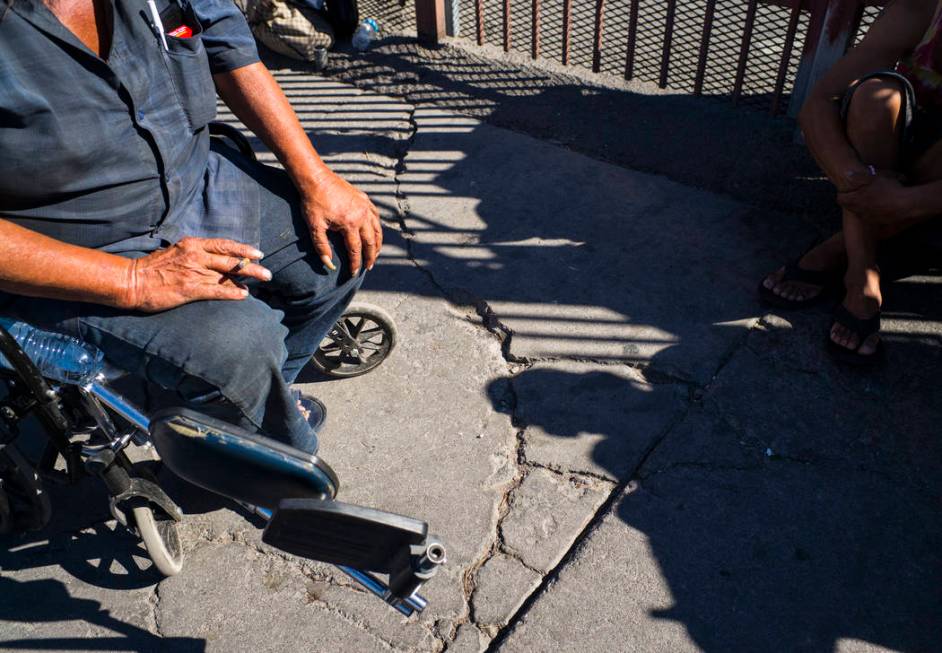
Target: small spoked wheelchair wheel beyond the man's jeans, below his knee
{"points": [[361, 339]]}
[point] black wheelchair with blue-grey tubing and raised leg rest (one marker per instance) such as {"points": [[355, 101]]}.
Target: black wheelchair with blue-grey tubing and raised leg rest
{"points": [[68, 387]]}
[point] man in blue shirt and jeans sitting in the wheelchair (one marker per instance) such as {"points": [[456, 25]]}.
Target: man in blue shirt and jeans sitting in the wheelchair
{"points": [[122, 223]]}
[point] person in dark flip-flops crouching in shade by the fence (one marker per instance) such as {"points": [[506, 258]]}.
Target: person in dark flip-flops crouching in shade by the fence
{"points": [[874, 124]]}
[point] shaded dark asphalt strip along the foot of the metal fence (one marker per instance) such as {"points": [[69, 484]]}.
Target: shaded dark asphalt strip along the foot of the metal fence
{"points": [[643, 128]]}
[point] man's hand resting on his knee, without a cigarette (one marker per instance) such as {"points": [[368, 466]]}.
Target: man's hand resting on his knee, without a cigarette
{"points": [[336, 205]]}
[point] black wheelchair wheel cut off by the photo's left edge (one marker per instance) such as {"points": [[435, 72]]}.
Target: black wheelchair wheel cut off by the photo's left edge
{"points": [[24, 505]]}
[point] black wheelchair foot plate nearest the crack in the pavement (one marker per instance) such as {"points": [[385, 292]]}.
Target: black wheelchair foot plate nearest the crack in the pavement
{"points": [[358, 537]]}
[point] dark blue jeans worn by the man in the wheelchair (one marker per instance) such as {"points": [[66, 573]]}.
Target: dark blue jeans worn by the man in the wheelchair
{"points": [[231, 359]]}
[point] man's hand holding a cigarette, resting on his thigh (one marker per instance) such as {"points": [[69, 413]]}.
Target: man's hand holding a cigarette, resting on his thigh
{"points": [[191, 270]]}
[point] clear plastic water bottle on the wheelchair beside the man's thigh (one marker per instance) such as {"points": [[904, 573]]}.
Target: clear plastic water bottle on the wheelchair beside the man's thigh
{"points": [[59, 357]]}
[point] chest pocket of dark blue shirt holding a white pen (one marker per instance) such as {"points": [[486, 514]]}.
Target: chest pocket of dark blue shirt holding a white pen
{"points": [[190, 74]]}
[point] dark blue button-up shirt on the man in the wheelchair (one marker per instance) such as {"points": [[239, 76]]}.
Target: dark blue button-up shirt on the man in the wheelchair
{"points": [[114, 154]]}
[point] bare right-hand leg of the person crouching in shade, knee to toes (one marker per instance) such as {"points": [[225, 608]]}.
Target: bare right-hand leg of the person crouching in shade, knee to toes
{"points": [[873, 124]]}
